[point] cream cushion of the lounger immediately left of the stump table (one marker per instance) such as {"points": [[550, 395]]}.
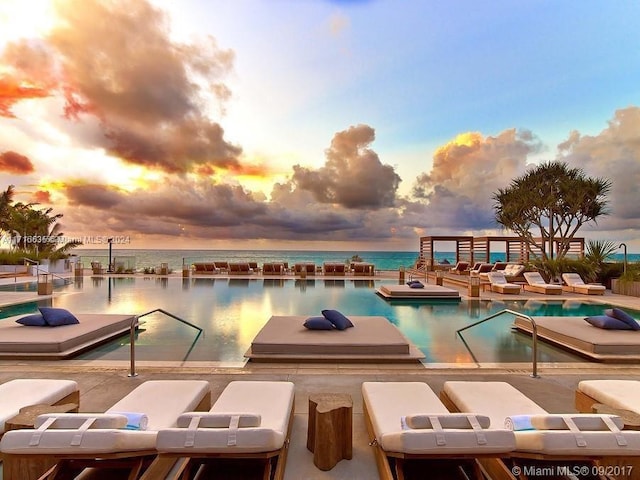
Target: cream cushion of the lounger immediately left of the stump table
{"points": [[272, 401]]}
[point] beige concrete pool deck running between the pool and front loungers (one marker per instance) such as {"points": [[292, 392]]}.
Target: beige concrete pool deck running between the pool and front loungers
{"points": [[103, 383]]}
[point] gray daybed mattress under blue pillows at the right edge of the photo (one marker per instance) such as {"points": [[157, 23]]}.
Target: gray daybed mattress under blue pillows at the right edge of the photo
{"points": [[575, 334]]}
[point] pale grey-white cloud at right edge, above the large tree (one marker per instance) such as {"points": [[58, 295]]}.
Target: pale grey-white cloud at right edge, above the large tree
{"points": [[613, 154]]}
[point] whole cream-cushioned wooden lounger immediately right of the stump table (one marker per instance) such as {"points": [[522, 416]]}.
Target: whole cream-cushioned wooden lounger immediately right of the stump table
{"points": [[391, 408]]}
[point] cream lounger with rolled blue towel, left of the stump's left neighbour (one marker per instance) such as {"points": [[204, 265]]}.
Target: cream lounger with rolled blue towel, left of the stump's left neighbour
{"points": [[74, 441]]}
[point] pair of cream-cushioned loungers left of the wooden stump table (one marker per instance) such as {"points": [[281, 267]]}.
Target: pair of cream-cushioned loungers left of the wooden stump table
{"points": [[160, 424]]}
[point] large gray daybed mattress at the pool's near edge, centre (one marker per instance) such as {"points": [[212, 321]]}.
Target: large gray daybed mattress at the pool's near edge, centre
{"points": [[370, 338]]}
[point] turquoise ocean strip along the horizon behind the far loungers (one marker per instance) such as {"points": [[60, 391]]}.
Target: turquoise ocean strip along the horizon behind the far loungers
{"points": [[383, 260]]}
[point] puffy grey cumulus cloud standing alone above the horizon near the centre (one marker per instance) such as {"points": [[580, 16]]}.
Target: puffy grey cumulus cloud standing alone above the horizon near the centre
{"points": [[353, 176]]}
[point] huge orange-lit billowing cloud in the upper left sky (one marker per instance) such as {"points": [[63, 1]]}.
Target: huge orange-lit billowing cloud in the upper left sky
{"points": [[115, 60]]}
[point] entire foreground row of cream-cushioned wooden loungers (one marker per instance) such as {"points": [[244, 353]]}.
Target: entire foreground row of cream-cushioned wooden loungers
{"points": [[484, 429]]}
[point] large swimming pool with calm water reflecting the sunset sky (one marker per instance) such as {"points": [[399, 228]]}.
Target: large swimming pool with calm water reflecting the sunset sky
{"points": [[232, 311]]}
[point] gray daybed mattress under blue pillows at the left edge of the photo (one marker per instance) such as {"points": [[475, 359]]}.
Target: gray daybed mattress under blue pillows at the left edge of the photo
{"points": [[19, 341]]}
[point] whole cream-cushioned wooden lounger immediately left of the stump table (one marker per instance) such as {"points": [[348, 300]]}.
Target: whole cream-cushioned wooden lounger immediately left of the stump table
{"points": [[250, 422]]}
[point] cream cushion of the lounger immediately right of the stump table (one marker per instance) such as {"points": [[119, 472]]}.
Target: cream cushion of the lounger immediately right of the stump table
{"points": [[387, 402]]}
